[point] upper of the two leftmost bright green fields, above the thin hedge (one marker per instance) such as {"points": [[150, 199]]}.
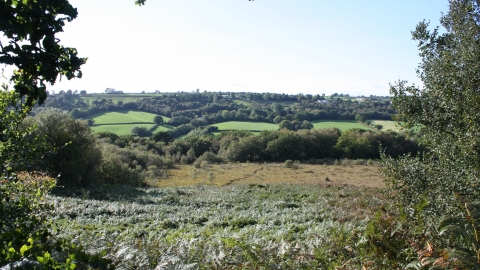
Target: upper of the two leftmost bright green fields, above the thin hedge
{"points": [[124, 117]]}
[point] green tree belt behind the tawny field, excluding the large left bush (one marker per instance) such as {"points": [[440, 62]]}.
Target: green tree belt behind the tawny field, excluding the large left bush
{"points": [[271, 146]]}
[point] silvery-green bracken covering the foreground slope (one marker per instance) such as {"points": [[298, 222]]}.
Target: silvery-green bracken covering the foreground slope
{"points": [[204, 226]]}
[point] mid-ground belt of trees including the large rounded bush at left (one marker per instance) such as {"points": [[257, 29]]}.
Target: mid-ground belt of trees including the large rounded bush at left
{"points": [[81, 158]]}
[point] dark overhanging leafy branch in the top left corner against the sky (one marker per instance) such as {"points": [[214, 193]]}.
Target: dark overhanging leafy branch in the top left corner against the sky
{"points": [[42, 59]]}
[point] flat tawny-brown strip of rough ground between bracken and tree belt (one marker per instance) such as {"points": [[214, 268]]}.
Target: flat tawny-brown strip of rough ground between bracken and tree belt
{"points": [[273, 173]]}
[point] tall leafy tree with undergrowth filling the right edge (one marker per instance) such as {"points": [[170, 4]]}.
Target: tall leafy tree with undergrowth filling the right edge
{"points": [[438, 192]]}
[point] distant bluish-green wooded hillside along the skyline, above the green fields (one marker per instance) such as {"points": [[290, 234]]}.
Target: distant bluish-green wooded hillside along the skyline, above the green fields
{"points": [[201, 109]]}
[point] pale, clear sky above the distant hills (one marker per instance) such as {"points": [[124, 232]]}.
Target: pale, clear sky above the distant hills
{"points": [[278, 46]]}
